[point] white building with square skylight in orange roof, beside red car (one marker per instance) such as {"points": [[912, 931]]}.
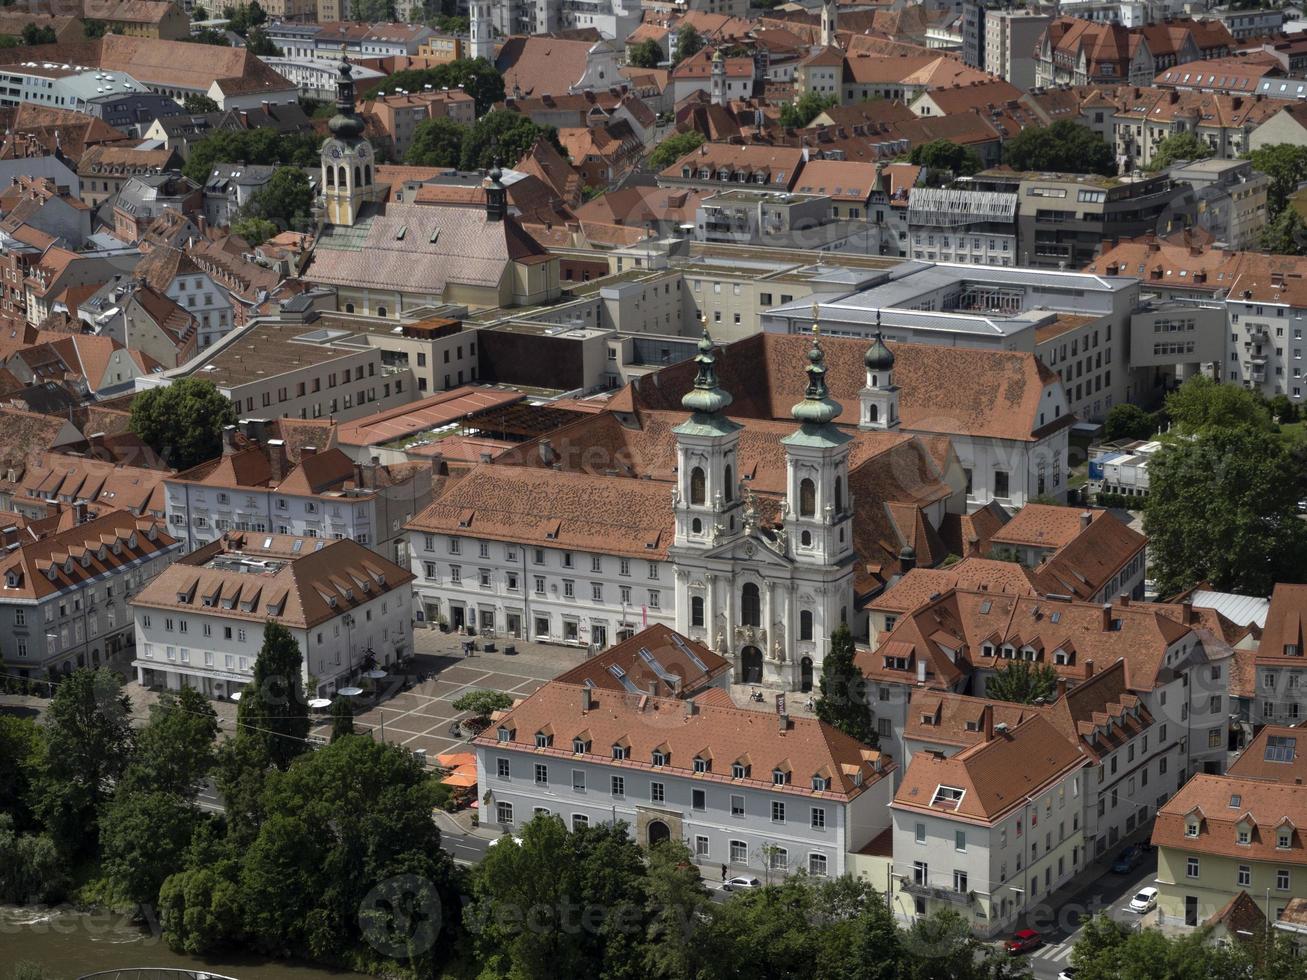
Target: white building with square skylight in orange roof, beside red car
{"points": [[993, 829]]}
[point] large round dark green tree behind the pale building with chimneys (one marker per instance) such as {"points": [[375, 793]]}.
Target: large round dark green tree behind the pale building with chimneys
{"points": [[182, 421]]}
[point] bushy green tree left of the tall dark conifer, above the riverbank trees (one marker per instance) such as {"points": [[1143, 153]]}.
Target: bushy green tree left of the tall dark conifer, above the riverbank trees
{"points": [[176, 751]]}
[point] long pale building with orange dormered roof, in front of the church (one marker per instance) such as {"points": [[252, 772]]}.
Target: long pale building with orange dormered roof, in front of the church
{"points": [[761, 794]]}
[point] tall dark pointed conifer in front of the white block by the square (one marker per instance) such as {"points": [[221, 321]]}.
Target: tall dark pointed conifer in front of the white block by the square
{"points": [[274, 709]]}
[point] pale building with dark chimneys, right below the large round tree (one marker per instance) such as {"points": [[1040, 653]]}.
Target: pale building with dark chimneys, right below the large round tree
{"points": [[261, 485]]}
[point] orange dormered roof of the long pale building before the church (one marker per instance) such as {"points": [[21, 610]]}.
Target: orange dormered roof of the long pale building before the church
{"points": [[721, 734]]}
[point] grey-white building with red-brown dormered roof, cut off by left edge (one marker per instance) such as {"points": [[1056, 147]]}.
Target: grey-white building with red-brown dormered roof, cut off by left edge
{"points": [[65, 598]]}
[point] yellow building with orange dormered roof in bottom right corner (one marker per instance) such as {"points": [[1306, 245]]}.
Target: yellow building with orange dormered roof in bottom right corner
{"points": [[1244, 832]]}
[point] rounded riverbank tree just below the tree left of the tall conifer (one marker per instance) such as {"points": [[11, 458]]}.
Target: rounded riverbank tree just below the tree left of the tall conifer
{"points": [[143, 838]]}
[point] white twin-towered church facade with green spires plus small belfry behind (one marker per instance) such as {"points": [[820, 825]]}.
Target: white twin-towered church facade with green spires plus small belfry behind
{"points": [[769, 598]]}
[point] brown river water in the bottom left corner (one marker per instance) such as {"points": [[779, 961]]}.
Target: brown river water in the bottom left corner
{"points": [[70, 944]]}
